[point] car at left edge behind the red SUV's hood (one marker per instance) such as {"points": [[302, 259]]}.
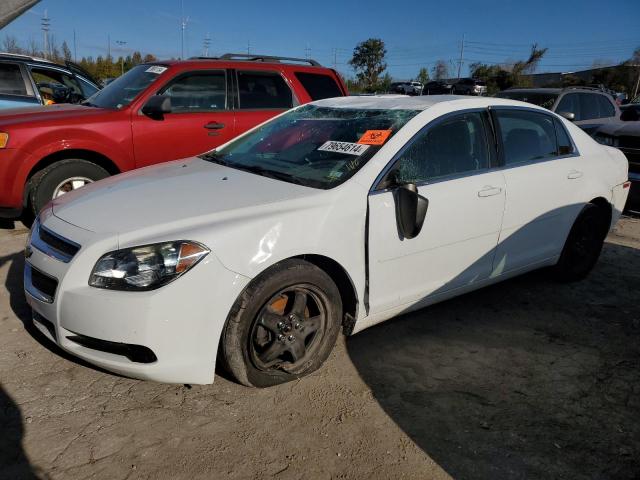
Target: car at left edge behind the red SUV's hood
{"points": [[28, 81]]}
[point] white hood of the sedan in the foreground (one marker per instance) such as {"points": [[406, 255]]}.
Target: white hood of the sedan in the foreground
{"points": [[179, 194]]}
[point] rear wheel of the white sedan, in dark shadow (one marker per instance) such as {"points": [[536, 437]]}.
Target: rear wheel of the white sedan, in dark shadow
{"points": [[584, 244]]}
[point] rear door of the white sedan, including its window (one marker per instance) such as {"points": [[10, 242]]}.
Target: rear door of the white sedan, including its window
{"points": [[543, 174]]}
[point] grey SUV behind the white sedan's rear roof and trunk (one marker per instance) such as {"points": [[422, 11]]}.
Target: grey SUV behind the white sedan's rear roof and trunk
{"points": [[589, 108]]}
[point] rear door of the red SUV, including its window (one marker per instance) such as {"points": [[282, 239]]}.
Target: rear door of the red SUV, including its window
{"points": [[260, 95]]}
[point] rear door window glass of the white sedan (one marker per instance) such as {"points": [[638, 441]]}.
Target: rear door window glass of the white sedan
{"points": [[526, 135]]}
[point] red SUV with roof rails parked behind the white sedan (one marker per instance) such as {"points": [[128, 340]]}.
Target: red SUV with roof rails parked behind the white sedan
{"points": [[154, 113]]}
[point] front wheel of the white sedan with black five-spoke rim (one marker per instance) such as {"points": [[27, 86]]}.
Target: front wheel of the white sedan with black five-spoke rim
{"points": [[256, 346]]}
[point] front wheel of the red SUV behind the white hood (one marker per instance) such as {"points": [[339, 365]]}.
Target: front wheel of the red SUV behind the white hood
{"points": [[44, 184]]}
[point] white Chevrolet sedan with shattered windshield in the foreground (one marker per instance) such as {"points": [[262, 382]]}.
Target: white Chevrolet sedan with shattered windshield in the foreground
{"points": [[334, 215]]}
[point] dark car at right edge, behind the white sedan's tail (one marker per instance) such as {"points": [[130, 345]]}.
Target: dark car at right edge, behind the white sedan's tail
{"points": [[626, 137]]}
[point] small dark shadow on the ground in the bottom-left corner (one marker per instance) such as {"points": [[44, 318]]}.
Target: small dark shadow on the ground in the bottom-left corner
{"points": [[14, 463]]}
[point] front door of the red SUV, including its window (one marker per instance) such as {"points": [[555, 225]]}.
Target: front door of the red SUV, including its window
{"points": [[200, 119]]}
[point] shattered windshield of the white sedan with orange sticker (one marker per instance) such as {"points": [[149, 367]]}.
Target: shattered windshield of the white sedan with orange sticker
{"points": [[319, 147]]}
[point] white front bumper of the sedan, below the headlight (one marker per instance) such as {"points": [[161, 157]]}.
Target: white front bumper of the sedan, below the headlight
{"points": [[169, 335]]}
